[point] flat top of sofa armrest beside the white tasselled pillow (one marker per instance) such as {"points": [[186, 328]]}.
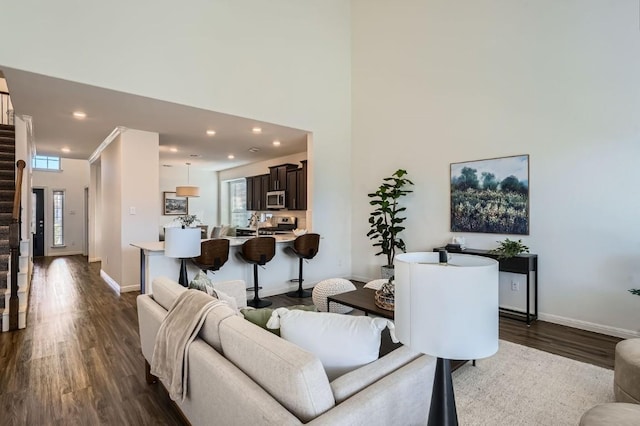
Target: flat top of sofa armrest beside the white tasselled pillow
{"points": [[354, 381]]}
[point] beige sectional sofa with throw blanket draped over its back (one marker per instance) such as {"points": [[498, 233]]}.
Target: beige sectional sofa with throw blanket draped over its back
{"points": [[241, 374]]}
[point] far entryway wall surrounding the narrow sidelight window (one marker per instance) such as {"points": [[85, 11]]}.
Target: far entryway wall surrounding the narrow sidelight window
{"points": [[72, 179]]}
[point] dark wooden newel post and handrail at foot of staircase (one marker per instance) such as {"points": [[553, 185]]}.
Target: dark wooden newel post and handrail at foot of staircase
{"points": [[14, 247]]}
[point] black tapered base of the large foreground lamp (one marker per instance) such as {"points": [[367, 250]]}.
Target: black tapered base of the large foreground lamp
{"points": [[443, 403]]}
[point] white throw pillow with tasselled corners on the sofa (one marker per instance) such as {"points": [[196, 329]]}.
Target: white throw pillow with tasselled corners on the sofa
{"points": [[341, 342]]}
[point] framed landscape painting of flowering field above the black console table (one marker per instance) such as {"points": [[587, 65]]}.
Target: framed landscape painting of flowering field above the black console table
{"points": [[491, 196]]}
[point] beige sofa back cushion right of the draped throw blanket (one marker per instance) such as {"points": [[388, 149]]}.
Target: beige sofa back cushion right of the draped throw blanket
{"points": [[291, 375]]}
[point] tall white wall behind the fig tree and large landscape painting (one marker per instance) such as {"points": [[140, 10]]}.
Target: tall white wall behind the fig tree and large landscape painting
{"points": [[556, 80]]}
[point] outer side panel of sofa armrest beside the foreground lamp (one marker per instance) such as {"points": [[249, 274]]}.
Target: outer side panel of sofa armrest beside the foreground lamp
{"points": [[400, 398]]}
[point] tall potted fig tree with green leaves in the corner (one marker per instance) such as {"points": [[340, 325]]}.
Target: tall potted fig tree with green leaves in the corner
{"points": [[385, 220]]}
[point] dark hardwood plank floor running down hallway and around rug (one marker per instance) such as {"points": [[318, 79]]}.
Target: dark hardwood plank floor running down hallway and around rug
{"points": [[79, 360]]}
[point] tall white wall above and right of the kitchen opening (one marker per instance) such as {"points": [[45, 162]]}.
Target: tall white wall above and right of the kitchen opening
{"points": [[280, 61]]}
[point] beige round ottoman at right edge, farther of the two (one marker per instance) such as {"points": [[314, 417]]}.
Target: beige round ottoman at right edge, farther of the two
{"points": [[626, 377]]}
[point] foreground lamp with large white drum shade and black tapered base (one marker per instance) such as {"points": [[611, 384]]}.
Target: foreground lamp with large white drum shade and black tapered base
{"points": [[447, 310]]}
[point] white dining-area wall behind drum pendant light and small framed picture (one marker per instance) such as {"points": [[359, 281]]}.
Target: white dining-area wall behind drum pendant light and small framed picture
{"points": [[205, 206]]}
